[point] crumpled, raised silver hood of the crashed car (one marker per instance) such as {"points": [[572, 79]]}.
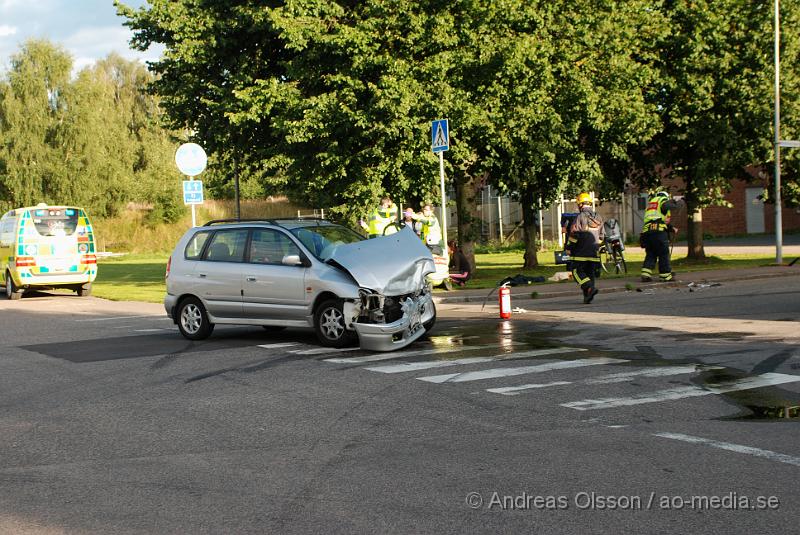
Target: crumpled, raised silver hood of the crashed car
{"points": [[390, 265]]}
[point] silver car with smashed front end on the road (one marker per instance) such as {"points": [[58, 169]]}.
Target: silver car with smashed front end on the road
{"points": [[302, 273]]}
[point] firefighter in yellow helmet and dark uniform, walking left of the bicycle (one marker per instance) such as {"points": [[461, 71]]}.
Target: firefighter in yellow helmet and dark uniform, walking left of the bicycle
{"points": [[585, 235]]}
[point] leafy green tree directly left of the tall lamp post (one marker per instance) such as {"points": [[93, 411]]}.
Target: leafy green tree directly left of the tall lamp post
{"points": [[714, 100]]}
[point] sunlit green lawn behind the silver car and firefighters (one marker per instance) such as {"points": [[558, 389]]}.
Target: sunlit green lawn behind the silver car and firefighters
{"points": [[140, 277]]}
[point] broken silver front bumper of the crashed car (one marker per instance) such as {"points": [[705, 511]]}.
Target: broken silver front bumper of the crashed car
{"points": [[400, 333]]}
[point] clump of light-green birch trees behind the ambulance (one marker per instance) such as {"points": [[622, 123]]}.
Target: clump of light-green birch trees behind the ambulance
{"points": [[94, 140]]}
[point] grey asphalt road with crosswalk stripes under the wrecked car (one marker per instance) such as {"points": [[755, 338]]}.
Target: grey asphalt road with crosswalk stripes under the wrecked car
{"points": [[664, 411]]}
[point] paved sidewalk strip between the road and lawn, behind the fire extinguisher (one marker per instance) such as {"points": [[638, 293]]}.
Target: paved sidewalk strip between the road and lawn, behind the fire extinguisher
{"points": [[569, 288]]}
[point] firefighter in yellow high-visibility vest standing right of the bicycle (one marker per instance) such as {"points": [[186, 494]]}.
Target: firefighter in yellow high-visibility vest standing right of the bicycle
{"points": [[654, 238]]}
